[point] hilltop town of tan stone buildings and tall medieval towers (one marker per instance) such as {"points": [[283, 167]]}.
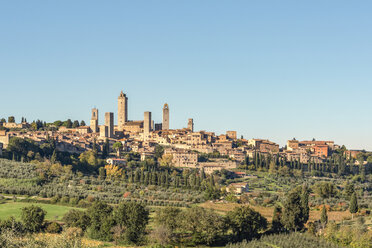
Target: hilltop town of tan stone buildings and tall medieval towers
{"points": [[186, 146]]}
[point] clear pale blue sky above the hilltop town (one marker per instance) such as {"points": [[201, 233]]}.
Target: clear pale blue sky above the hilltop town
{"points": [[268, 69]]}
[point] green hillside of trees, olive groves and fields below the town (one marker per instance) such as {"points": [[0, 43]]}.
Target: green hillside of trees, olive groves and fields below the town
{"points": [[115, 200]]}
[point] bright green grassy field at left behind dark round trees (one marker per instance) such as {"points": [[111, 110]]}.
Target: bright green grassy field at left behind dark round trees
{"points": [[54, 212]]}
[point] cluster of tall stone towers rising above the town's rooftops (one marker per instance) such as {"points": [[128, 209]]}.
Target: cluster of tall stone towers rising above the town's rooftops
{"points": [[147, 125]]}
